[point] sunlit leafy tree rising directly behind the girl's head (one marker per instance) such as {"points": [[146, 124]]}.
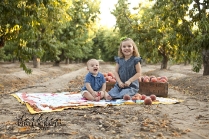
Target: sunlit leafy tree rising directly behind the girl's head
{"points": [[128, 23]]}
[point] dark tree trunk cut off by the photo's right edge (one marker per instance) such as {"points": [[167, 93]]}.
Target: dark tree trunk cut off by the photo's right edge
{"points": [[206, 62]]}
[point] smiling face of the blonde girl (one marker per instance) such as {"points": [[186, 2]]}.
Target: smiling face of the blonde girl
{"points": [[127, 49]]}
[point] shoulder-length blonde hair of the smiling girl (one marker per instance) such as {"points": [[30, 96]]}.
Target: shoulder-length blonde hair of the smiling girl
{"points": [[135, 52]]}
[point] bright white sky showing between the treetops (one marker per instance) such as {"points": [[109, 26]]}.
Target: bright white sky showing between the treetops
{"points": [[106, 6]]}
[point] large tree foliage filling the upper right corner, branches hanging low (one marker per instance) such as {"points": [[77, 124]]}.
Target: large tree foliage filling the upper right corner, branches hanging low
{"points": [[191, 30]]}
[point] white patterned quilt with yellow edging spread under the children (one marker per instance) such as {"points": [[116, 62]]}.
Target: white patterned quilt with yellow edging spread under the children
{"points": [[48, 102]]}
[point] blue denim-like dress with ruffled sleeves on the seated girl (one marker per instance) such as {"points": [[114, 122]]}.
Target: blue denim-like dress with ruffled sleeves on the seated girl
{"points": [[126, 71]]}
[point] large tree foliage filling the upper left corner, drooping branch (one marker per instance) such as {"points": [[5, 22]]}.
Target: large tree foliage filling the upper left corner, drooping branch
{"points": [[22, 24]]}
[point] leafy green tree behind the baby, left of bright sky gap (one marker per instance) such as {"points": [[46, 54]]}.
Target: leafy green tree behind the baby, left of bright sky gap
{"points": [[79, 31]]}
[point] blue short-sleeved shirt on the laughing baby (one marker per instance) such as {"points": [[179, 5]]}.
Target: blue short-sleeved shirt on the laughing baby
{"points": [[96, 82]]}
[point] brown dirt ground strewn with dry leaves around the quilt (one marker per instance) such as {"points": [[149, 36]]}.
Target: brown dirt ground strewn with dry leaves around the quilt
{"points": [[186, 120]]}
